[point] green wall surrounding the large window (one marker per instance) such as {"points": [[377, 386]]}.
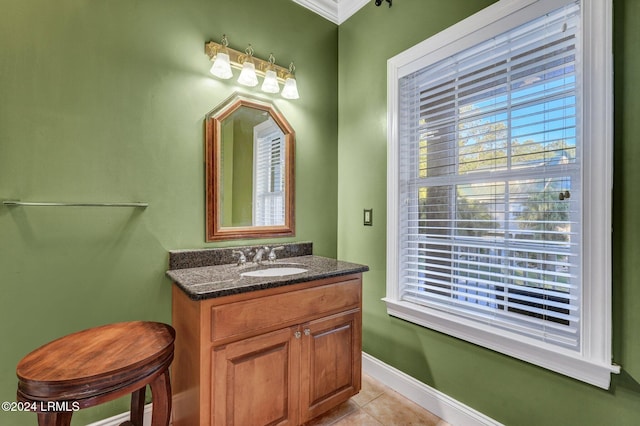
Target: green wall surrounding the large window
{"points": [[508, 390]]}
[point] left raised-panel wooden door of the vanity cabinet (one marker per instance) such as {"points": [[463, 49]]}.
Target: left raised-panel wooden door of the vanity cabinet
{"points": [[254, 380]]}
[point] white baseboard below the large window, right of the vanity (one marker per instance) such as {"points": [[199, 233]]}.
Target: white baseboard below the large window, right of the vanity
{"points": [[443, 406]]}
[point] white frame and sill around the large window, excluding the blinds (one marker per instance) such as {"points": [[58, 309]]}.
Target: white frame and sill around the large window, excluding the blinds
{"points": [[592, 362]]}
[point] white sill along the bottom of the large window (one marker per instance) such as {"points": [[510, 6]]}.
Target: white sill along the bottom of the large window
{"points": [[538, 353]]}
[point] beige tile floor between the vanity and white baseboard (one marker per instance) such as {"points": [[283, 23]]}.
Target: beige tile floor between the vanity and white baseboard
{"points": [[378, 405]]}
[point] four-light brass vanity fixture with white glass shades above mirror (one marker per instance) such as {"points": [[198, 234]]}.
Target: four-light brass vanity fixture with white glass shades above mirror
{"points": [[252, 68]]}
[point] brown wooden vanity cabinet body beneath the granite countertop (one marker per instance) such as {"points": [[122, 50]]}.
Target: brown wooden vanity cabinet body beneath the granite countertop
{"points": [[279, 356]]}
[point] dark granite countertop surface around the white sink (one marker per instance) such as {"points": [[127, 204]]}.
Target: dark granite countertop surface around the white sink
{"points": [[205, 282]]}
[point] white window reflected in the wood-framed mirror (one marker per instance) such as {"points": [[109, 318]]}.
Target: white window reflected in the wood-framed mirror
{"points": [[269, 175]]}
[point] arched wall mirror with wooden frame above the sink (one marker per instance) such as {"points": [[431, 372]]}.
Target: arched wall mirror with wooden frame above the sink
{"points": [[250, 151]]}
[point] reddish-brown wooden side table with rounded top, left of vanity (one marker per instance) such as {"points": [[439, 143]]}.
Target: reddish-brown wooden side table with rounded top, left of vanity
{"points": [[97, 365]]}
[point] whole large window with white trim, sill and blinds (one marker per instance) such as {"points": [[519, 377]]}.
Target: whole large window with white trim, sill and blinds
{"points": [[499, 183]]}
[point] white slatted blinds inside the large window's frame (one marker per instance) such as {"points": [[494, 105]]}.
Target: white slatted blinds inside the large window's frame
{"points": [[490, 181]]}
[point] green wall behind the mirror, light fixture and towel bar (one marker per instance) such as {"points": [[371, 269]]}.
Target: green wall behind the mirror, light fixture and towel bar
{"points": [[104, 100]]}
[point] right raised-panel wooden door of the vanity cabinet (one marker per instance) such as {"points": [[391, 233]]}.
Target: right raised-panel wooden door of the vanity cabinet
{"points": [[331, 360]]}
